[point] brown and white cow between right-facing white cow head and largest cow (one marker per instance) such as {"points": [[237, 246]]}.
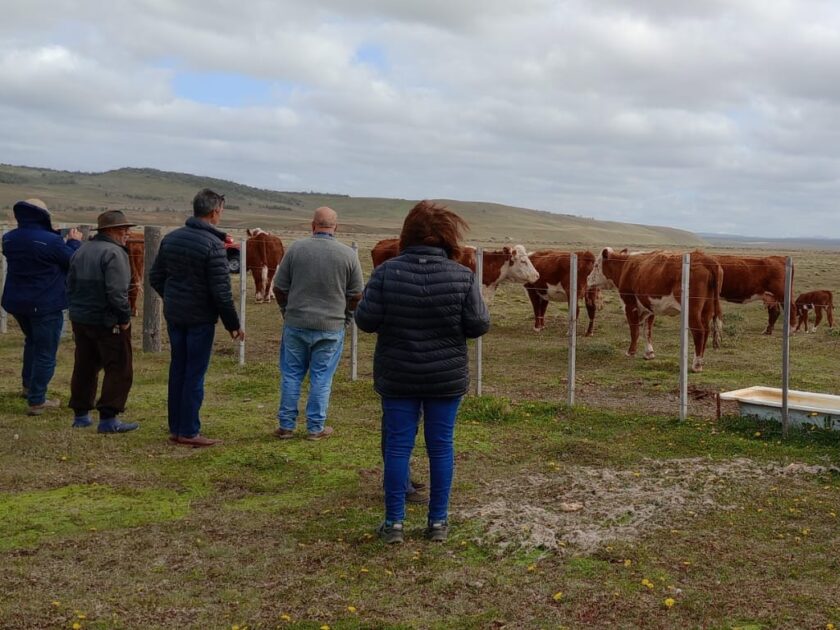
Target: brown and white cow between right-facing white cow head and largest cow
{"points": [[553, 284]]}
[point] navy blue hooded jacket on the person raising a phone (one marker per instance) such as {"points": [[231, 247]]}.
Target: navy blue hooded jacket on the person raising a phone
{"points": [[38, 259]]}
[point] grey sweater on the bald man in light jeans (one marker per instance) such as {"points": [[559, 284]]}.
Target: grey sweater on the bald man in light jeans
{"points": [[316, 281]]}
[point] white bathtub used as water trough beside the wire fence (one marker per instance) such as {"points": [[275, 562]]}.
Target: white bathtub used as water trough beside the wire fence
{"points": [[822, 410]]}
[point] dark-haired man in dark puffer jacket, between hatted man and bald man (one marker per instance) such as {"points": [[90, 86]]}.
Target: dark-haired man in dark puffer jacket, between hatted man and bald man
{"points": [[191, 275]]}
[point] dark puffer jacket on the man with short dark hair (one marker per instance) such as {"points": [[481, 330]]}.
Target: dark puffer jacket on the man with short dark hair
{"points": [[191, 275]]}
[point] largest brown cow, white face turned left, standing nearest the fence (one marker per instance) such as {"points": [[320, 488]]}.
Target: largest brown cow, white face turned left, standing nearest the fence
{"points": [[650, 284]]}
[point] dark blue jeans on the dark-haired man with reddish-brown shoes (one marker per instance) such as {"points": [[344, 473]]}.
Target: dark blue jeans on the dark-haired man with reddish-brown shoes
{"points": [[190, 357]]}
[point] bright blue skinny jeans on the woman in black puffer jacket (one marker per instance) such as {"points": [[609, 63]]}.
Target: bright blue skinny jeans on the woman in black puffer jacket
{"points": [[399, 419]]}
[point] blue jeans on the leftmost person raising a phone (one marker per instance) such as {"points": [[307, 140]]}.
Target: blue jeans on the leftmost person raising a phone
{"points": [[41, 332]]}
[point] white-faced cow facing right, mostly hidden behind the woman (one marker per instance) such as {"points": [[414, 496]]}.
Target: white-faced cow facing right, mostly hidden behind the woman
{"points": [[509, 264]]}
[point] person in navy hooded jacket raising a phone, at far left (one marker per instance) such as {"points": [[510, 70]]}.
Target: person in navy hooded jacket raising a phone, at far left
{"points": [[34, 293]]}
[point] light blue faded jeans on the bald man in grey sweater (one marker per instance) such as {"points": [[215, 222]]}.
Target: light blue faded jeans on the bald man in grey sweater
{"points": [[303, 351]]}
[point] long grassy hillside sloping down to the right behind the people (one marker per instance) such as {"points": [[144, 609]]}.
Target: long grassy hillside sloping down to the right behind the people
{"points": [[157, 197]]}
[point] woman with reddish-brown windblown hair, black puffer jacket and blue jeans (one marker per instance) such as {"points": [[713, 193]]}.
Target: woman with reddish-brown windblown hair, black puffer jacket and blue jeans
{"points": [[423, 306]]}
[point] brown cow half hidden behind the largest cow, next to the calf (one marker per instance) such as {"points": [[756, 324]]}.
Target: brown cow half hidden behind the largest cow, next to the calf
{"points": [[748, 278]]}
